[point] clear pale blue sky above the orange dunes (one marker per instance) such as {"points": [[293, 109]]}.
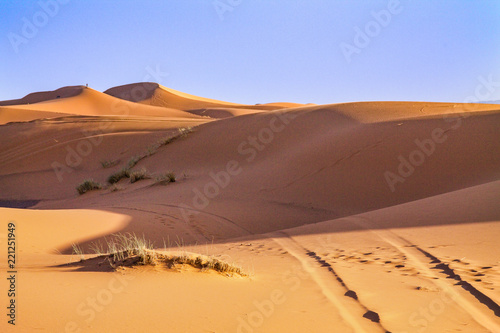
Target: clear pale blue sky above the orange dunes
{"points": [[256, 51]]}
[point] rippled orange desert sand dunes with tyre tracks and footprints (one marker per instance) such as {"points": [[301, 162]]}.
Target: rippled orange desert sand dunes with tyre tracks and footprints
{"points": [[355, 217]]}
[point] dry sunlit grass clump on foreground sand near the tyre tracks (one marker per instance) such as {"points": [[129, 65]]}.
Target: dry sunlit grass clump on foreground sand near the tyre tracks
{"points": [[130, 250]]}
